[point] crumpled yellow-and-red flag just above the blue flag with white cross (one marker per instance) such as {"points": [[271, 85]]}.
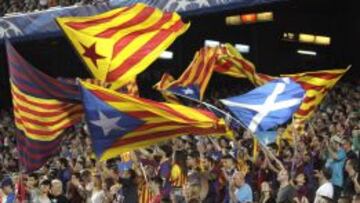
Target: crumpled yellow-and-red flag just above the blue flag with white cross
{"points": [[232, 63]]}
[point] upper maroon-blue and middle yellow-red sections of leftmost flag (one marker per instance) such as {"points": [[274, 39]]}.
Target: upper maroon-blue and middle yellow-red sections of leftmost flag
{"points": [[43, 106]]}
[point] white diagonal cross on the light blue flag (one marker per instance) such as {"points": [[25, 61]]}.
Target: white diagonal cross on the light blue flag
{"points": [[268, 106]]}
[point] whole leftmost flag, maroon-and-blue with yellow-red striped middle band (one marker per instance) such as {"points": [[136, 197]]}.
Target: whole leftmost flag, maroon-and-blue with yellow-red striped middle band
{"points": [[43, 108]]}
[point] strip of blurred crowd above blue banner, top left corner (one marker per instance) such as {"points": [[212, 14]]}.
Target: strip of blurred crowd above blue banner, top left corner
{"points": [[23, 6]]}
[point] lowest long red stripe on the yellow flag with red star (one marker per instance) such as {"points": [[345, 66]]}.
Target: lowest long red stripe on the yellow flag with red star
{"points": [[143, 51]]}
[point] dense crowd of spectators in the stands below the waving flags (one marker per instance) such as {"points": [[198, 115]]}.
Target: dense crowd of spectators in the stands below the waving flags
{"points": [[321, 165]]}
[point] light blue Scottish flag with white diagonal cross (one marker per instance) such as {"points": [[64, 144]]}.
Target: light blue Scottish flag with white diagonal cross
{"points": [[267, 106]]}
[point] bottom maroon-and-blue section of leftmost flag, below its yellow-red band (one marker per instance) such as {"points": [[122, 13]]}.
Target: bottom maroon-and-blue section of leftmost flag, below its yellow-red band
{"points": [[33, 154]]}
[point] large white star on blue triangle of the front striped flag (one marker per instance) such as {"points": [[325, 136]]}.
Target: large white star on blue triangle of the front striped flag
{"points": [[107, 124]]}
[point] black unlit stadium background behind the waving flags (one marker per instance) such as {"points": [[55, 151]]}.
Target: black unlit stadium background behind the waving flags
{"points": [[271, 55]]}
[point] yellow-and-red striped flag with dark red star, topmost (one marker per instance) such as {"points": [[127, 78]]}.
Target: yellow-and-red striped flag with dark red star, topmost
{"points": [[119, 44]]}
